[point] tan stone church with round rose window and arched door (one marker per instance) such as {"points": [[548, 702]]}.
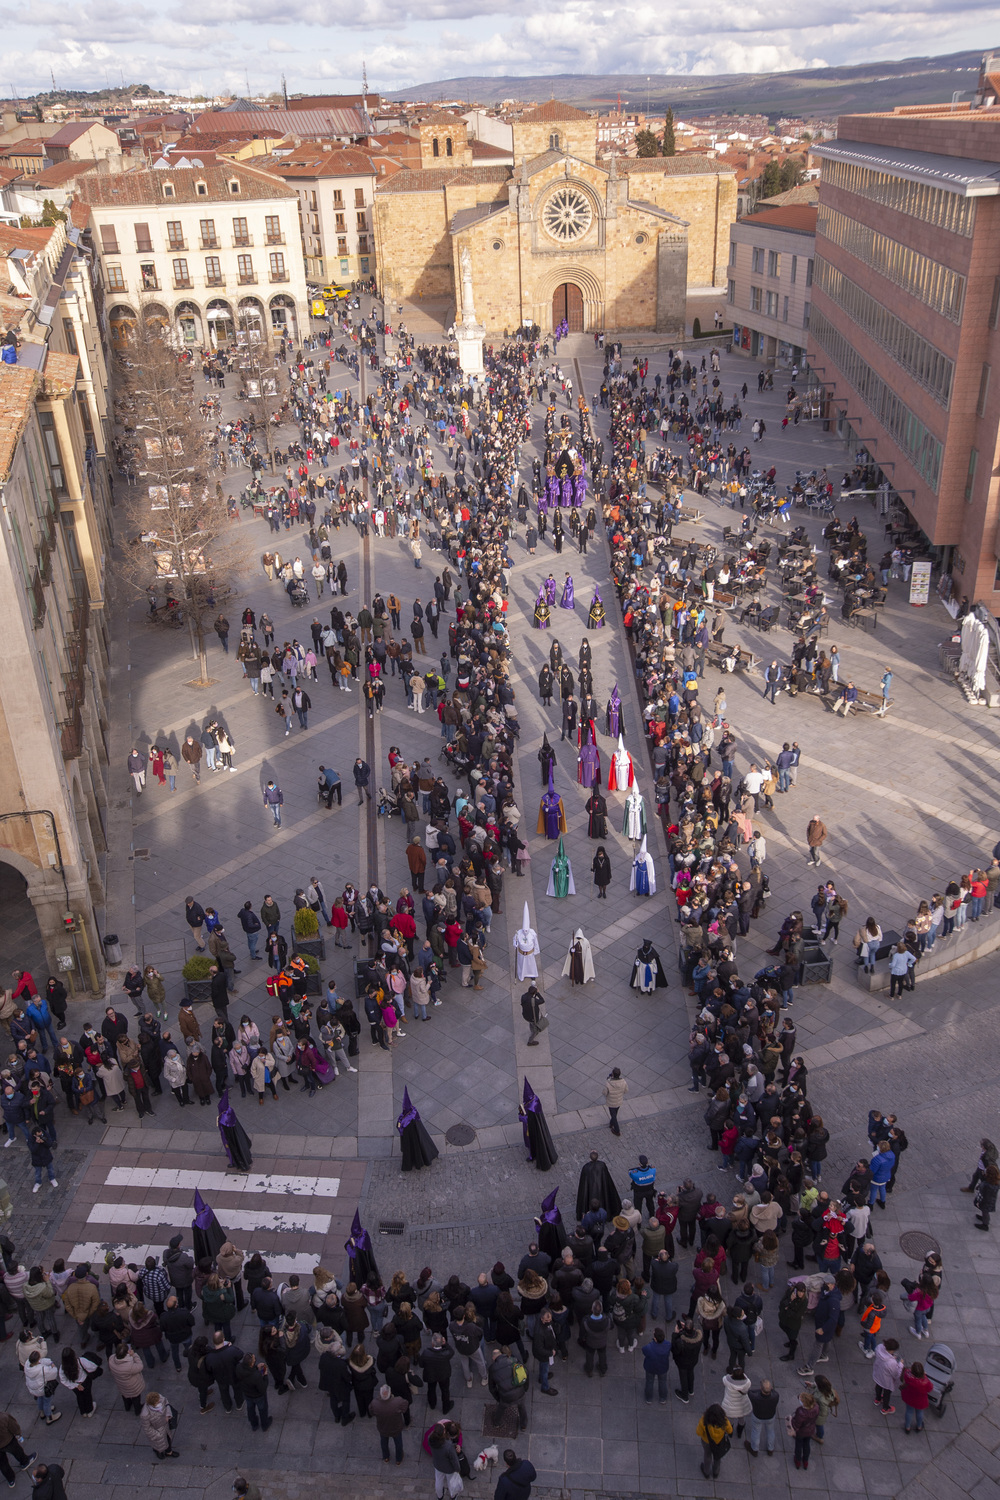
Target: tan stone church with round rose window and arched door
{"points": [[558, 236]]}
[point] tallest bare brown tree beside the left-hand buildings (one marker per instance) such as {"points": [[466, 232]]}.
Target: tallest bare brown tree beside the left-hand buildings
{"points": [[178, 511]]}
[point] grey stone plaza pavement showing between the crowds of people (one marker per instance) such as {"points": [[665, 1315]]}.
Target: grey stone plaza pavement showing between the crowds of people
{"points": [[908, 805]]}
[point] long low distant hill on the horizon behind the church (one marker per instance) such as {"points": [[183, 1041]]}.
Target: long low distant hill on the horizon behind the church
{"points": [[822, 92]]}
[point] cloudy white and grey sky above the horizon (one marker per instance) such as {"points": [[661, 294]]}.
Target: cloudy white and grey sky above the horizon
{"points": [[209, 47]]}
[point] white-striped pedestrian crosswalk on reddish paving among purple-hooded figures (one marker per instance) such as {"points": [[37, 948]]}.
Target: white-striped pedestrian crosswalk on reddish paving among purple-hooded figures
{"points": [[296, 1220]]}
